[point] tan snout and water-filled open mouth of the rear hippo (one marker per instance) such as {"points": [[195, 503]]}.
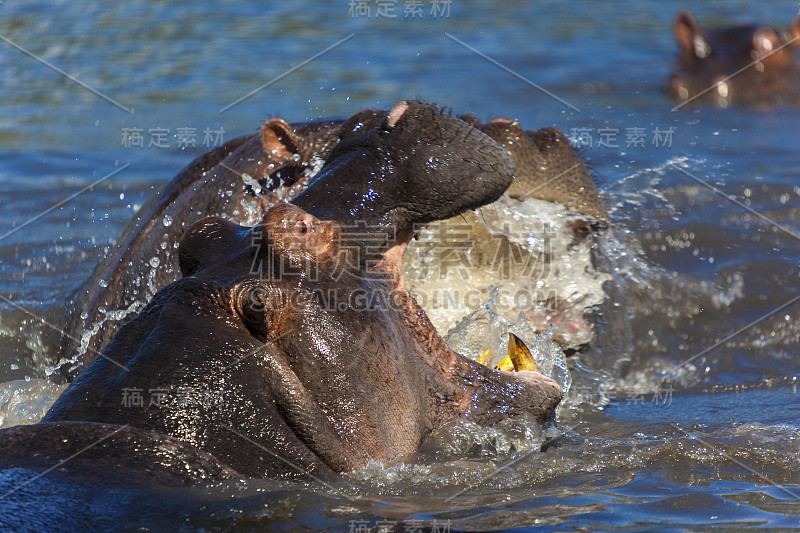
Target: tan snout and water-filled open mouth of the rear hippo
{"points": [[543, 270]]}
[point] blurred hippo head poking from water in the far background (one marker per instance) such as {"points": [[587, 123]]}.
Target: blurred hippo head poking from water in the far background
{"points": [[745, 65]]}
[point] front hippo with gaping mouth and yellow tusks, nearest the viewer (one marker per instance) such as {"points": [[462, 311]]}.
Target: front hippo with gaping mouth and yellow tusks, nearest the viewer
{"points": [[291, 349]]}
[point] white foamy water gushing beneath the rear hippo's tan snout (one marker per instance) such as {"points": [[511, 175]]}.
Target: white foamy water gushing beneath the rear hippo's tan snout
{"points": [[526, 250]]}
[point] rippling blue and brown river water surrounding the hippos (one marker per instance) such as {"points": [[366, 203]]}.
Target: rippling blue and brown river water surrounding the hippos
{"points": [[682, 414]]}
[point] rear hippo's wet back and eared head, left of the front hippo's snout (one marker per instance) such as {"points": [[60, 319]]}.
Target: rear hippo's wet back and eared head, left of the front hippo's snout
{"points": [[235, 180]]}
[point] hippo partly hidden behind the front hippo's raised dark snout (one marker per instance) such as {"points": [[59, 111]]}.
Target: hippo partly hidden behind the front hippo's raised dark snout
{"points": [[243, 178]]}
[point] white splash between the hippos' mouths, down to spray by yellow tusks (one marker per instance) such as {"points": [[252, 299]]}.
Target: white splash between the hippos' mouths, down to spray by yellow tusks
{"points": [[517, 267]]}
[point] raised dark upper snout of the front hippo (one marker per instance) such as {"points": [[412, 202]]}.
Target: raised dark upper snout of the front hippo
{"points": [[410, 165]]}
